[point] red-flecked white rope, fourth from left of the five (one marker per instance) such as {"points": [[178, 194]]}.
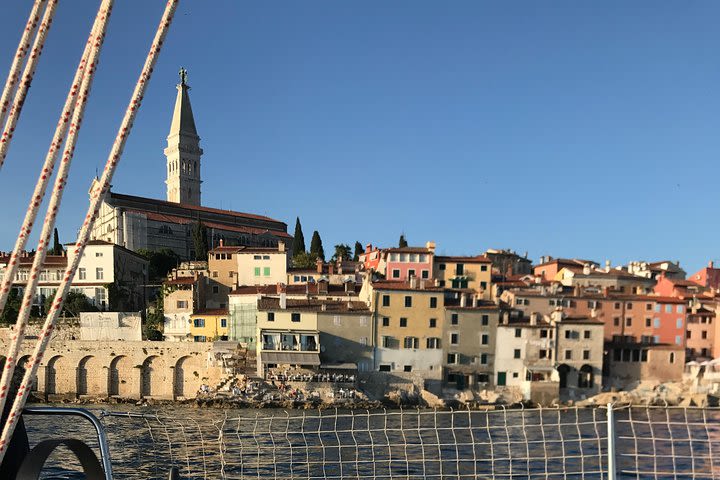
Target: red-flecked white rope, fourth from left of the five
{"points": [[97, 36]]}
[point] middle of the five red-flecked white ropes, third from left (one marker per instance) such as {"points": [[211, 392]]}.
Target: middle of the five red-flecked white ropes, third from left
{"points": [[45, 174]]}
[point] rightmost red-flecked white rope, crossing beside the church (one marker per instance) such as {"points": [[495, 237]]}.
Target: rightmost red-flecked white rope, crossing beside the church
{"points": [[96, 196]]}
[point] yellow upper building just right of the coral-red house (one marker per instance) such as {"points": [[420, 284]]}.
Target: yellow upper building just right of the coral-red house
{"points": [[460, 273]]}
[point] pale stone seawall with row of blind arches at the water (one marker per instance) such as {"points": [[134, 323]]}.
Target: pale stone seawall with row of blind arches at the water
{"points": [[121, 369]]}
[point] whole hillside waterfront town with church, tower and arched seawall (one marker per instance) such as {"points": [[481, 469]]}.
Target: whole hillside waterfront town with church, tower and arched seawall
{"points": [[279, 320]]}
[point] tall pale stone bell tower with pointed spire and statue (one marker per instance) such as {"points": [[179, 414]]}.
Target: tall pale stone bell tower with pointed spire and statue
{"points": [[183, 151]]}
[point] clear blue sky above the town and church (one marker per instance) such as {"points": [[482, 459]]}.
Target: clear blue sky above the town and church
{"points": [[567, 128]]}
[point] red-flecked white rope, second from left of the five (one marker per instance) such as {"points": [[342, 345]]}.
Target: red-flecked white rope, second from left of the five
{"points": [[27, 77]]}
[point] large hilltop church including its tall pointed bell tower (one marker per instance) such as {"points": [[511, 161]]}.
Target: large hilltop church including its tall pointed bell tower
{"points": [[138, 222]]}
